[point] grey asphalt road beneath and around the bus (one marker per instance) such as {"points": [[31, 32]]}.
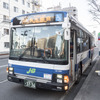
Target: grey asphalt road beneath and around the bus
{"points": [[14, 91]]}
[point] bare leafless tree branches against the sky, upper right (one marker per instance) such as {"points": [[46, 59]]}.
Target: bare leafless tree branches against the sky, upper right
{"points": [[95, 9]]}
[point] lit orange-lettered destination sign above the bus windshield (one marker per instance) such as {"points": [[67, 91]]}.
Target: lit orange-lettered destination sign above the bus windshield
{"points": [[38, 18]]}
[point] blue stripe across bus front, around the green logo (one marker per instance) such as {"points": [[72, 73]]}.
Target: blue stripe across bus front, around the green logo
{"points": [[39, 71]]}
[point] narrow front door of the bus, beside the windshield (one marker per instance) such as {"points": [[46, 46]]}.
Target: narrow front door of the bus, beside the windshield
{"points": [[73, 56]]}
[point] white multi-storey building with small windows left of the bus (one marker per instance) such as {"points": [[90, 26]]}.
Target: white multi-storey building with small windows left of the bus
{"points": [[8, 10]]}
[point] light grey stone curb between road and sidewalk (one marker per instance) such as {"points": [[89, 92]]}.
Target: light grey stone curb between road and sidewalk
{"points": [[81, 92]]}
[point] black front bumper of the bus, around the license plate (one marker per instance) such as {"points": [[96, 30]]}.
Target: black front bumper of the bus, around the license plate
{"points": [[47, 85]]}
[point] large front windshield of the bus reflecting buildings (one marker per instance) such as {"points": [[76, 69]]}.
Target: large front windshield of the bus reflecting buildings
{"points": [[38, 42]]}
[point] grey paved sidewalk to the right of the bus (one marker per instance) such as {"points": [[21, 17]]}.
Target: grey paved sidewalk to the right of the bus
{"points": [[91, 87]]}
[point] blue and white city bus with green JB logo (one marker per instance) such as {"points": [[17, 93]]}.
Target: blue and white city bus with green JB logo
{"points": [[48, 50]]}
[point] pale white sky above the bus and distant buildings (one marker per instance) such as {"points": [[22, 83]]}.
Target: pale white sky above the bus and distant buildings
{"points": [[84, 17]]}
